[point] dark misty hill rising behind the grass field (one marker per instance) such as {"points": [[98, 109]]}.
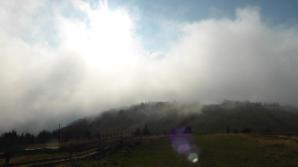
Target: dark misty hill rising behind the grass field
{"points": [[161, 117]]}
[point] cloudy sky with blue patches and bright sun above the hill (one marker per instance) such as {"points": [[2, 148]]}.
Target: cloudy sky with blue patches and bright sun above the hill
{"points": [[62, 60]]}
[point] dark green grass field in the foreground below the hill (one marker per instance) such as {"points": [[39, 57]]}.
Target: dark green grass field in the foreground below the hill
{"points": [[217, 150]]}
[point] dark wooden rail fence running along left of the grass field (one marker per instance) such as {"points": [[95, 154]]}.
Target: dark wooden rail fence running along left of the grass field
{"points": [[96, 149]]}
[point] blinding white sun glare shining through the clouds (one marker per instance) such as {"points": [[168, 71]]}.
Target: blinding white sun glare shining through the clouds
{"points": [[105, 41]]}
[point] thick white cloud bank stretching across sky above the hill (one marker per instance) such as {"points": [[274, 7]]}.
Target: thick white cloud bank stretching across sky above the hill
{"points": [[99, 63]]}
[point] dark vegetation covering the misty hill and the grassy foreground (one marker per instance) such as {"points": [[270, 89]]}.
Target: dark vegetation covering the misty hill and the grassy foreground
{"points": [[250, 136]]}
